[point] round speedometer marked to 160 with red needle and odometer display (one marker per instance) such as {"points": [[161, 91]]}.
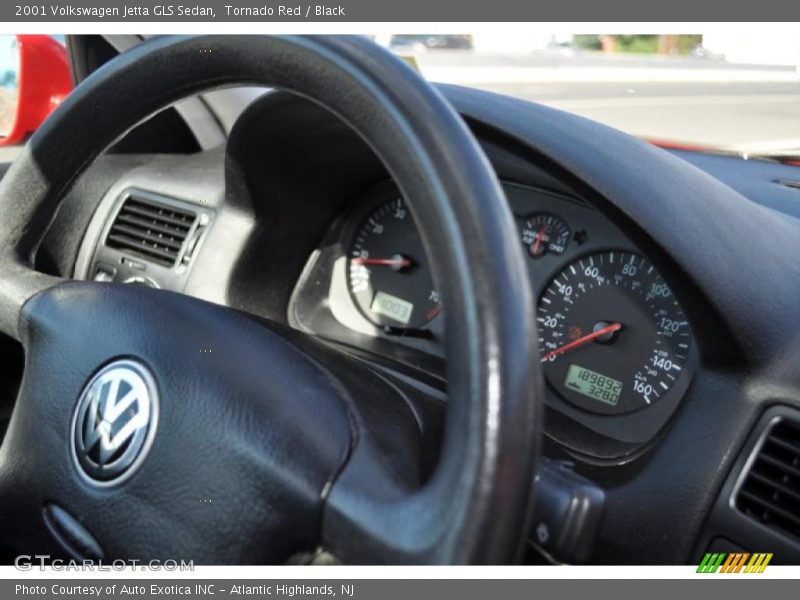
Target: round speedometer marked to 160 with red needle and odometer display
{"points": [[613, 337]]}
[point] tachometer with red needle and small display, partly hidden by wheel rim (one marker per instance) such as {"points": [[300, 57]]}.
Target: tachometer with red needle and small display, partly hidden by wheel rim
{"points": [[388, 276]]}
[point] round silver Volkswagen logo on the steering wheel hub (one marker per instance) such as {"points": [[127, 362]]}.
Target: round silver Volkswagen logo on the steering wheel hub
{"points": [[114, 423]]}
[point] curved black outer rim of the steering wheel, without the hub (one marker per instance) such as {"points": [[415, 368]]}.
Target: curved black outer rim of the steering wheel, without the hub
{"points": [[474, 508]]}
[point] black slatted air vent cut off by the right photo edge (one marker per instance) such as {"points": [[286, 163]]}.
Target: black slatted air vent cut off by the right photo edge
{"points": [[770, 489]]}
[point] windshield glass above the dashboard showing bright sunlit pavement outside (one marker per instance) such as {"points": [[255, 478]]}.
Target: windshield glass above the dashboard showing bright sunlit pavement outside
{"points": [[734, 92]]}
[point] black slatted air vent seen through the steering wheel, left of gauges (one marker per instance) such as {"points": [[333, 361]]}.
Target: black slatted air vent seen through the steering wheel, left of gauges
{"points": [[150, 230]]}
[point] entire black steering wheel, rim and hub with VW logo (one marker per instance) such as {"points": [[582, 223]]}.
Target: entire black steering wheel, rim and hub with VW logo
{"points": [[150, 424]]}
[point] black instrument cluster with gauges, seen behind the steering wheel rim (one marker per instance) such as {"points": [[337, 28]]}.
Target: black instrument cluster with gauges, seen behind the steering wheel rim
{"points": [[616, 346]]}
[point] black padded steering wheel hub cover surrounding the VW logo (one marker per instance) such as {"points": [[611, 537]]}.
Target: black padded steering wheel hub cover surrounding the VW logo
{"points": [[250, 432]]}
